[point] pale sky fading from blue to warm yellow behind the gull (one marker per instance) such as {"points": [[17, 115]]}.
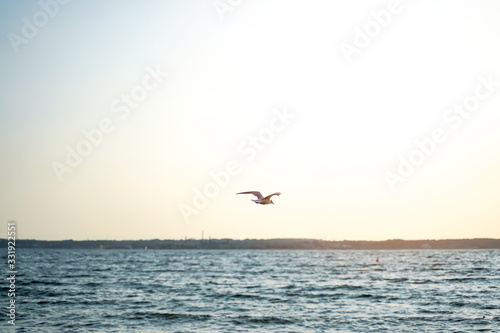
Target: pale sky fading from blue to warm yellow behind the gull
{"points": [[139, 120]]}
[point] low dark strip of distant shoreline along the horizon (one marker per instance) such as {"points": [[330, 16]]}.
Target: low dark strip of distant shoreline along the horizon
{"points": [[259, 244]]}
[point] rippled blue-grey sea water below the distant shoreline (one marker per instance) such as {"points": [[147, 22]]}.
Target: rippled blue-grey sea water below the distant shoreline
{"points": [[60, 290]]}
